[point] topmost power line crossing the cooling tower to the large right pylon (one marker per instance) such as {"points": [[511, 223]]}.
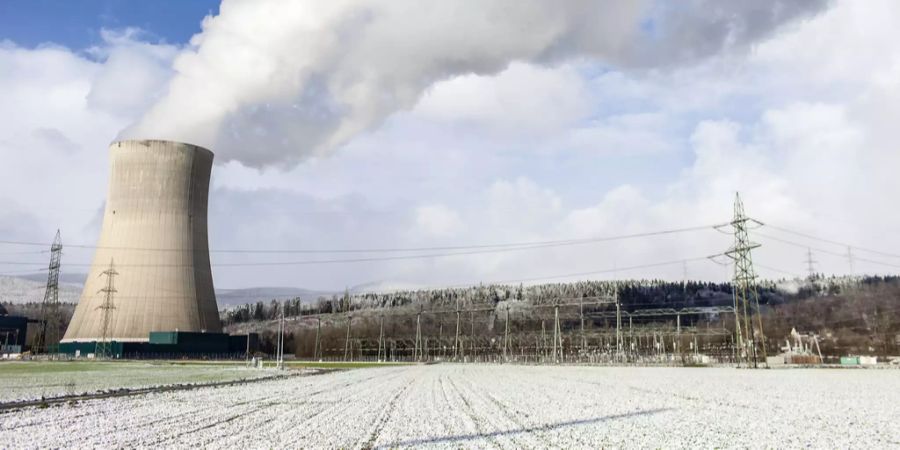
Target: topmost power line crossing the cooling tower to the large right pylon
{"points": [[529, 244]]}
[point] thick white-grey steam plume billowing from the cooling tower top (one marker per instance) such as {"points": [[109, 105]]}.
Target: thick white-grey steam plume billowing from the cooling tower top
{"points": [[269, 82]]}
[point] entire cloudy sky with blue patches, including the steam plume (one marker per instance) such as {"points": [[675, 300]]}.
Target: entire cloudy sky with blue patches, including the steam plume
{"points": [[401, 124]]}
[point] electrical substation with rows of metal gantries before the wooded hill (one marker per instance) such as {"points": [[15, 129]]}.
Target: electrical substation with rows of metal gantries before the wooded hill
{"points": [[589, 331]]}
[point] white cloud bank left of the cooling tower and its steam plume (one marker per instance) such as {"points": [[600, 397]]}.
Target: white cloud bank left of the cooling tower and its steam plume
{"points": [[60, 111]]}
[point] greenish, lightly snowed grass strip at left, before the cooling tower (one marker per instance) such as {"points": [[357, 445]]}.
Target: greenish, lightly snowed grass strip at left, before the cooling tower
{"points": [[33, 380]]}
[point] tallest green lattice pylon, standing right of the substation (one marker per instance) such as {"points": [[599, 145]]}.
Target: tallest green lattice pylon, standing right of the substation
{"points": [[745, 294]]}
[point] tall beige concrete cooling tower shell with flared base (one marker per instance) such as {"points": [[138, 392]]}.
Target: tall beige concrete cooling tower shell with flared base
{"points": [[154, 229]]}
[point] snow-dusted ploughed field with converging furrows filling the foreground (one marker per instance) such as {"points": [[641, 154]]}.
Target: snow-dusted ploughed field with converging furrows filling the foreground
{"points": [[457, 406]]}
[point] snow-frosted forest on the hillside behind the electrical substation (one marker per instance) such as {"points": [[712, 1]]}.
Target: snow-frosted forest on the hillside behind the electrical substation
{"points": [[849, 315]]}
